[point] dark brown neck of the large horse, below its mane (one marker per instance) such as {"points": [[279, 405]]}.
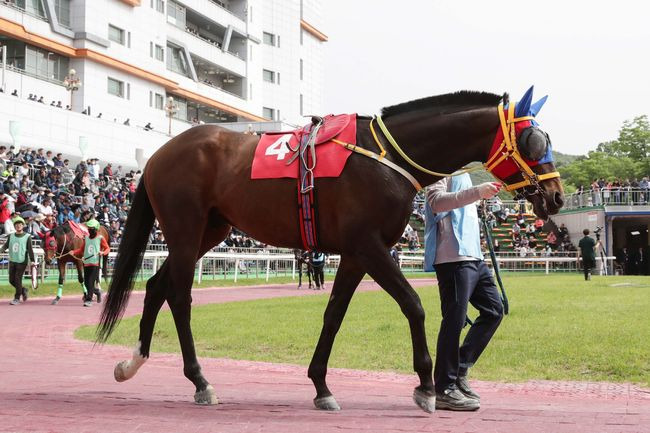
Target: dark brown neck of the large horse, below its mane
{"points": [[444, 142]]}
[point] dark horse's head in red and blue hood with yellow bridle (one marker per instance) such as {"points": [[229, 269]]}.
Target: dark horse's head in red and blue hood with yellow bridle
{"points": [[522, 158]]}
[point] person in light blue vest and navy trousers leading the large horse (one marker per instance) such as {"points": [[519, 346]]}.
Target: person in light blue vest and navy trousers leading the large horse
{"points": [[453, 247]]}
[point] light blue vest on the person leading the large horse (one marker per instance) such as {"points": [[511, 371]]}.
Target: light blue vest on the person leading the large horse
{"points": [[465, 225]]}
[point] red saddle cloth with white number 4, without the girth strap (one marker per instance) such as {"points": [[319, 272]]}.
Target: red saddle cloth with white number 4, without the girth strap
{"points": [[272, 153]]}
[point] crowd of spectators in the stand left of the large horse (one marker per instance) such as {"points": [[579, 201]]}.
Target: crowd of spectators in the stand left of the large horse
{"points": [[47, 191]]}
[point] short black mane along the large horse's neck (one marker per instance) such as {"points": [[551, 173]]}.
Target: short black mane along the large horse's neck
{"points": [[448, 103]]}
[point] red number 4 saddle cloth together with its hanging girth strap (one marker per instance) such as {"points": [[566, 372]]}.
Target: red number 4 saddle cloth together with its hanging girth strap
{"points": [[306, 154]]}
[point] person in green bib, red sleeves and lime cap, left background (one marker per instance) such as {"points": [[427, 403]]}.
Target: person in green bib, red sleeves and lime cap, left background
{"points": [[93, 247]]}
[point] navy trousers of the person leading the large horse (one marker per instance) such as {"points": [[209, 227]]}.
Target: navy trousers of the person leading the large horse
{"points": [[461, 283]]}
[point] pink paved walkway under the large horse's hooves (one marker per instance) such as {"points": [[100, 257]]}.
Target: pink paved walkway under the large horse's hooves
{"points": [[50, 382]]}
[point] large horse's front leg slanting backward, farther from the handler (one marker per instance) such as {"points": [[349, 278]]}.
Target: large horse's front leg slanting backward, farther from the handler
{"points": [[346, 281]]}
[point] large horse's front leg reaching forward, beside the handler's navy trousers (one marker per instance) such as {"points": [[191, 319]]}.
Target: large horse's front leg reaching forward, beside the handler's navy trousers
{"points": [[383, 269]]}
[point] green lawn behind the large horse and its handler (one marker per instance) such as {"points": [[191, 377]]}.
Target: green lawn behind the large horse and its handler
{"points": [[559, 328]]}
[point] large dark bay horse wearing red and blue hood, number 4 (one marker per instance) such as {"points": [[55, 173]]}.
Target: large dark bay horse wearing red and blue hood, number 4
{"points": [[362, 214]]}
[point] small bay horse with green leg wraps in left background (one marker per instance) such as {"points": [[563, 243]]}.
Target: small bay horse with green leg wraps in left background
{"points": [[58, 243]]}
